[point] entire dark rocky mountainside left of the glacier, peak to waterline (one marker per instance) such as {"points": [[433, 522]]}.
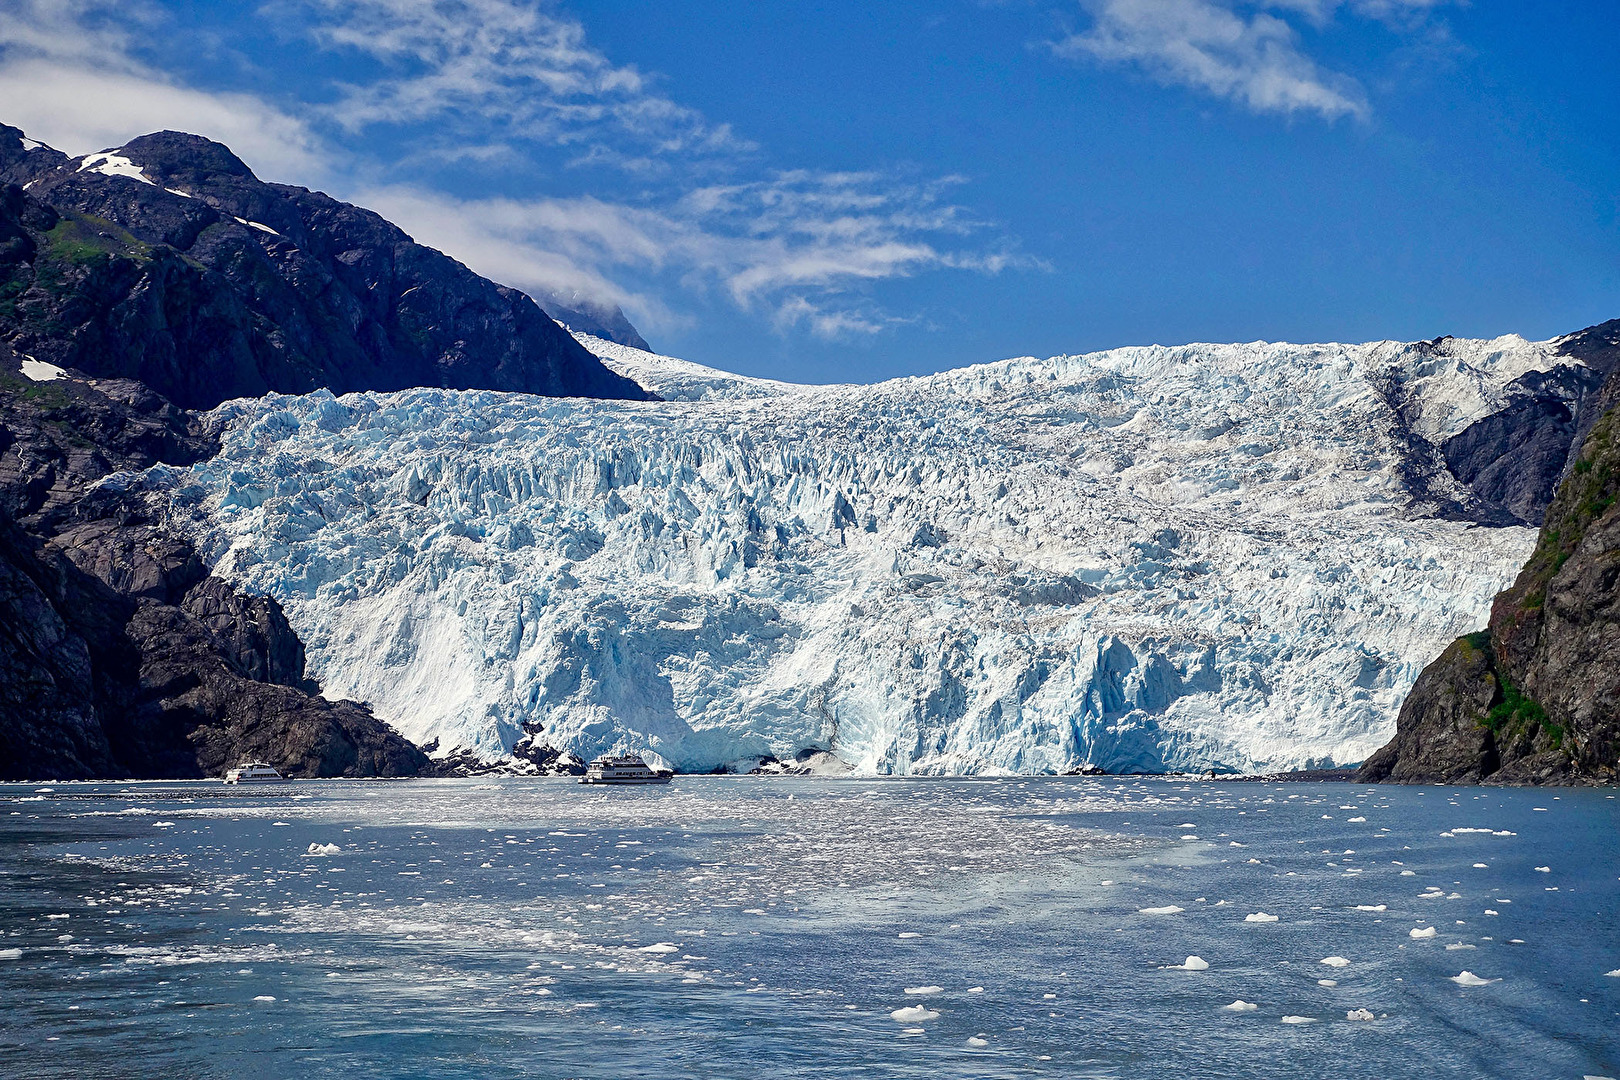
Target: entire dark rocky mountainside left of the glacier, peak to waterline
{"points": [[145, 283]]}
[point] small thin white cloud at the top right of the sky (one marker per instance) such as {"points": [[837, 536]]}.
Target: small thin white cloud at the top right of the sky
{"points": [[1253, 57]]}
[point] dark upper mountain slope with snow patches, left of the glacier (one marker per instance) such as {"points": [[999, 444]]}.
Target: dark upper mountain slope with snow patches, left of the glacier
{"points": [[174, 265]]}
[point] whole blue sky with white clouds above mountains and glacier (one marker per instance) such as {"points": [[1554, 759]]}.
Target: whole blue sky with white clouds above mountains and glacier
{"points": [[850, 192]]}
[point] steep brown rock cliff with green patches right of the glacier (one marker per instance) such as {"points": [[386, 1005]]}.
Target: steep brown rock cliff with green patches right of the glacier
{"points": [[1535, 699]]}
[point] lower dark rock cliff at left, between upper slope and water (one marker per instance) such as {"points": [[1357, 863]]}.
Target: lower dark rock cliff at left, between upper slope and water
{"points": [[119, 653]]}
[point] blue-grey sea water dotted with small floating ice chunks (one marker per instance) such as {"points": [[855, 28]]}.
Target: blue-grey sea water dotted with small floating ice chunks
{"points": [[740, 927]]}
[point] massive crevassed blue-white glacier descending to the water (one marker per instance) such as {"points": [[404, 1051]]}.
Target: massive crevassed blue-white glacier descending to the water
{"points": [[1153, 559]]}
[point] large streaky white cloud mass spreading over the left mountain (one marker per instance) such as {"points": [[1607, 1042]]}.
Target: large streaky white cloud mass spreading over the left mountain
{"points": [[514, 87]]}
